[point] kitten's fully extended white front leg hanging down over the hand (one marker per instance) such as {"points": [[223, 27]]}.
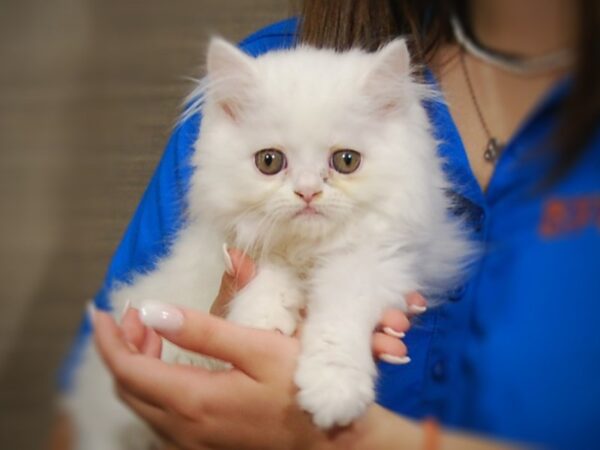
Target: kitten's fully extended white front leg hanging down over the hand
{"points": [[336, 371]]}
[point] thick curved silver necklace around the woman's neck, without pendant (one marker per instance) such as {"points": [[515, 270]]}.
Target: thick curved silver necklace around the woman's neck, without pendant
{"points": [[520, 65]]}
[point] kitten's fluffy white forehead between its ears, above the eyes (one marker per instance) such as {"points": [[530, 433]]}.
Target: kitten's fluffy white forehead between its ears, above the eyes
{"points": [[310, 91]]}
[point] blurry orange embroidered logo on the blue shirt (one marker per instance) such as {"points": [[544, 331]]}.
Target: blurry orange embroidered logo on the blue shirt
{"points": [[567, 215]]}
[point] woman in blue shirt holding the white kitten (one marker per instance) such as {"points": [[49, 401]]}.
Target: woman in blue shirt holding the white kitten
{"points": [[509, 356]]}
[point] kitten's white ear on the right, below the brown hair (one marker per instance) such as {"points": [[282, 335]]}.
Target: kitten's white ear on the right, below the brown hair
{"points": [[389, 77]]}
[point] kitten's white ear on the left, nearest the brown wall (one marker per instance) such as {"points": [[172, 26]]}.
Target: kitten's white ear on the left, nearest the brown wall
{"points": [[231, 77]]}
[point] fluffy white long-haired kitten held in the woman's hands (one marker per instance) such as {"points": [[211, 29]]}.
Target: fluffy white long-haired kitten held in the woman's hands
{"points": [[321, 165]]}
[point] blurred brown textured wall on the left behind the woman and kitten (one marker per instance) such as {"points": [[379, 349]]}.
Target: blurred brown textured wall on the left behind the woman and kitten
{"points": [[88, 92]]}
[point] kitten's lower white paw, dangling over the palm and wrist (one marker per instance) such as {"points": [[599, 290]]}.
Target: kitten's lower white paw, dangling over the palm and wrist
{"points": [[334, 394]]}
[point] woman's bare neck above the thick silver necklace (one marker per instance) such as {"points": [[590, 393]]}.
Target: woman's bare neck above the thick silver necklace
{"points": [[527, 28]]}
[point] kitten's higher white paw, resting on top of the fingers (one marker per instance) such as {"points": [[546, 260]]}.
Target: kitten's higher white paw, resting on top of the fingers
{"points": [[270, 310]]}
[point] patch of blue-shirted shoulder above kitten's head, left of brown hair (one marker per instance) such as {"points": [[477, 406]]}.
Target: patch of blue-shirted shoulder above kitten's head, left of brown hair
{"points": [[278, 35]]}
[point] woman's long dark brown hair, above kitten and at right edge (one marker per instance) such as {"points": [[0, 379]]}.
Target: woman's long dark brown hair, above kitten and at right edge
{"points": [[342, 24]]}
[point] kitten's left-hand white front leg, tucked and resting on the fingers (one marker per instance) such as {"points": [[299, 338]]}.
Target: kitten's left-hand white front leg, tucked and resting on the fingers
{"points": [[271, 301]]}
